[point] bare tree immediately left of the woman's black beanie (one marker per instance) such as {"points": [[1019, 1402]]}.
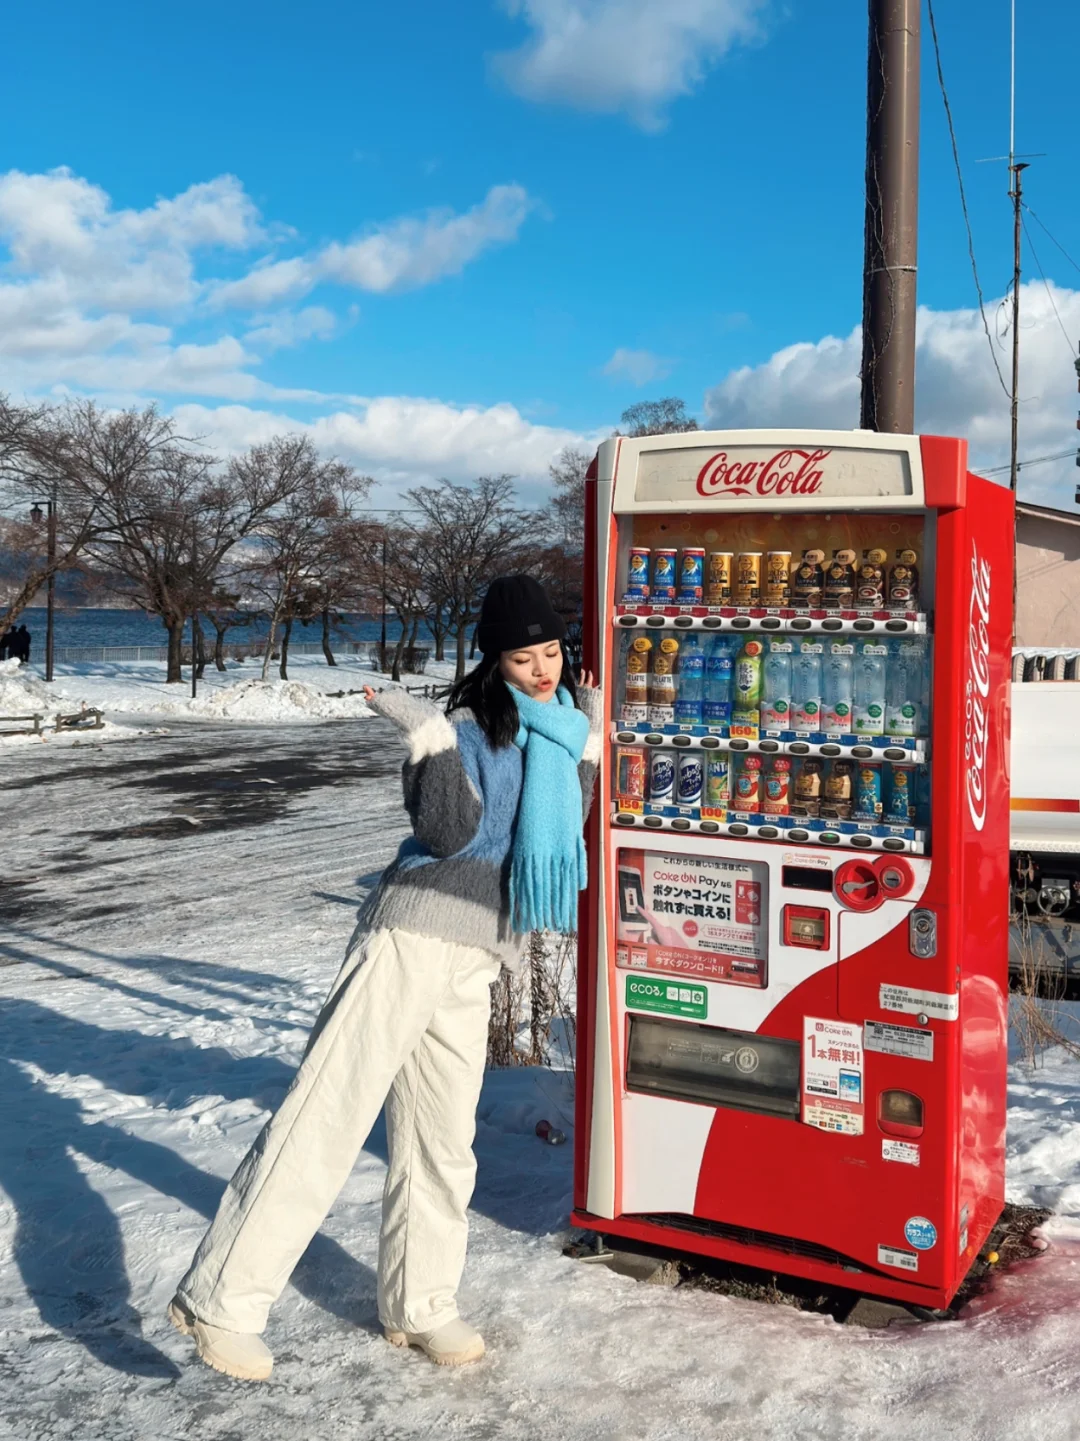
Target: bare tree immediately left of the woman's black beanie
{"points": [[469, 535]]}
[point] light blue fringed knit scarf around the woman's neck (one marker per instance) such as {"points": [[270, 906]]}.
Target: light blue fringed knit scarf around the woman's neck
{"points": [[549, 865]]}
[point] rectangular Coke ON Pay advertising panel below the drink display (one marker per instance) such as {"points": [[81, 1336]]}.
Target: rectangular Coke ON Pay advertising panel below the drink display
{"points": [[701, 917]]}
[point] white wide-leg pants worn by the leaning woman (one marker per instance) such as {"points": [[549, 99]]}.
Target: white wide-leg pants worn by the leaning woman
{"points": [[406, 1024]]}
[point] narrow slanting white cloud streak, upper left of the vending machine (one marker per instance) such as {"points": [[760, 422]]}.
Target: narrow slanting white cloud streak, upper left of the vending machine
{"points": [[403, 254]]}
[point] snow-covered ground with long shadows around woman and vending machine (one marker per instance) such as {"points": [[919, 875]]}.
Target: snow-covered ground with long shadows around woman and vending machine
{"points": [[172, 911]]}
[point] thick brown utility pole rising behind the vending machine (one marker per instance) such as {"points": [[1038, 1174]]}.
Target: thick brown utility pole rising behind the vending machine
{"points": [[892, 226]]}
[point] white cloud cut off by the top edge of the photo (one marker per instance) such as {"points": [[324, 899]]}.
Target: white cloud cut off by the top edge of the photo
{"points": [[624, 55]]}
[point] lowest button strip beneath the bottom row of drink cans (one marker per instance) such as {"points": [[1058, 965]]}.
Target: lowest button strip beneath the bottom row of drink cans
{"points": [[795, 829]]}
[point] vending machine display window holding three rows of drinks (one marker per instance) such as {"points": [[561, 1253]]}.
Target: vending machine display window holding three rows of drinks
{"points": [[774, 677]]}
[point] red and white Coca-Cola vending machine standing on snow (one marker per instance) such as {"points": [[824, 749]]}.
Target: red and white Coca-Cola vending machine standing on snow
{"points": [[794, 949]]}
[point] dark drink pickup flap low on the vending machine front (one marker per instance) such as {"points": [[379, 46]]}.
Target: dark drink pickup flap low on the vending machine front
{"points": [[713, 1066]]}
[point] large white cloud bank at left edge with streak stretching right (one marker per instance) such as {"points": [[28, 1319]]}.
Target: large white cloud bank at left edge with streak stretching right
{"points": [[112, 302]]}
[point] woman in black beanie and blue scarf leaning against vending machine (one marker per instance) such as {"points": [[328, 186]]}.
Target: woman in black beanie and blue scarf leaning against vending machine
{"points": [[495, 793]]}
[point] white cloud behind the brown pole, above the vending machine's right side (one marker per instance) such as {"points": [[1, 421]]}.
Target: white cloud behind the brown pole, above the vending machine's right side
{"points": [[957, 387]]}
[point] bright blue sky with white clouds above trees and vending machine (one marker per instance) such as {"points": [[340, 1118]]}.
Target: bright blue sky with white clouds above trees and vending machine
{"points": [[452, 238]]}
